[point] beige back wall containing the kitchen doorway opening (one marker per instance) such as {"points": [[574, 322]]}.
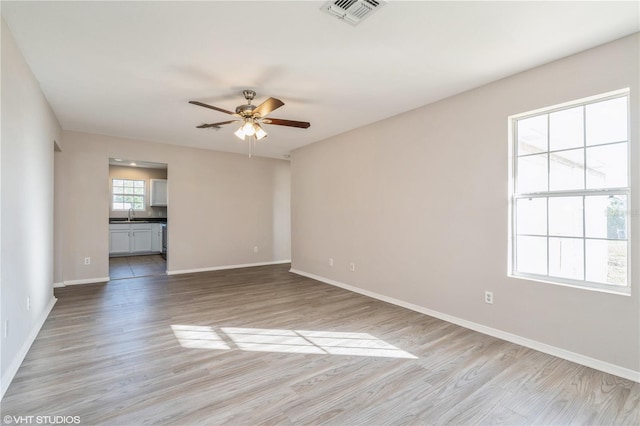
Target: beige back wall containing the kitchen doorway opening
{"points": [[221, 205]]}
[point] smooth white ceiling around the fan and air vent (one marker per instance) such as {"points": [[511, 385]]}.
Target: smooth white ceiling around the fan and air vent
{"points": [[129, 69]]}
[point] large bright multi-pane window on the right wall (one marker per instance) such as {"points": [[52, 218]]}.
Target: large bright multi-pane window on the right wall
{"points": [[571, 194]]}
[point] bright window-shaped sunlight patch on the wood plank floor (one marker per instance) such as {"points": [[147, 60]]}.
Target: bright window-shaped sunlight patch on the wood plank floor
{"points": [[290, 341]]}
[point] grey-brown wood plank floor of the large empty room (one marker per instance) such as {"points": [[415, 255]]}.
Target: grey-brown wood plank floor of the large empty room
{"points": [[264, 346]]}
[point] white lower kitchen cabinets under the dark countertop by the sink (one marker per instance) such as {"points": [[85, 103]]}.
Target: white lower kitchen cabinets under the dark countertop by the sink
{"points": [[134, 238]]}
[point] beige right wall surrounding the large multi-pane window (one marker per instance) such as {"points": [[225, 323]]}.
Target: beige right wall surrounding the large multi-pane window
{"points": [[419, 203]]}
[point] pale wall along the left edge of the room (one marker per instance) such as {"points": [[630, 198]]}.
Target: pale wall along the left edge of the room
{"points": [[29, 129]]}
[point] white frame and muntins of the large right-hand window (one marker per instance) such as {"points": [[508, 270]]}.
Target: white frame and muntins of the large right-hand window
{"points": [[513, 196]]}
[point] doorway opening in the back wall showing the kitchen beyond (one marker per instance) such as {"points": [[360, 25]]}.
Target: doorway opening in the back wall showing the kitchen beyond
{"points": [[138, 199]]}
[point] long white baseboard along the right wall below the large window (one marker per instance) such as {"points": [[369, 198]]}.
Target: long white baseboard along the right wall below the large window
{"points": [[513, 338]]}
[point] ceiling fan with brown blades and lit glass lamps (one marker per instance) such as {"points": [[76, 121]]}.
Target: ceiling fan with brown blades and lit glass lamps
{"points": [[251, 117]]}
